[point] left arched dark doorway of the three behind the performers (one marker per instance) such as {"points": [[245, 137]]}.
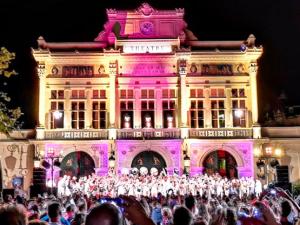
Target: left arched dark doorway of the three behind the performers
{"points": [[77, 164]]}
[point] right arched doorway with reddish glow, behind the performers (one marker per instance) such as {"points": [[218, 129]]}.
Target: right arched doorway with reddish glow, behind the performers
{"points": [[221, 162]]}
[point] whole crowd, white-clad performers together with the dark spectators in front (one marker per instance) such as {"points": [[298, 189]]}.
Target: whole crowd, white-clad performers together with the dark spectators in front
{"points": [[177, 200]]}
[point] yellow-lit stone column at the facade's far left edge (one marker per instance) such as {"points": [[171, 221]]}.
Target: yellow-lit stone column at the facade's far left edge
{"points": [[42, 100]]}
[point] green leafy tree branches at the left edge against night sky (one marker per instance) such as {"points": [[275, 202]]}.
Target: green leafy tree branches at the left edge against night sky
{"points": [[8, 117]]}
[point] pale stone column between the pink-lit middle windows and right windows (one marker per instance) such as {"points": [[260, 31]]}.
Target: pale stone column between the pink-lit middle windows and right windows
{"points": [[183, 99]]}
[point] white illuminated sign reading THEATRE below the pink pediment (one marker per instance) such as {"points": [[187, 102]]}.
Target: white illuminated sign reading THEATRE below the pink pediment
{"points": [[149, 47]]}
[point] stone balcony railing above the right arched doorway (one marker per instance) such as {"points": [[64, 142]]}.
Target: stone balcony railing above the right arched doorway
{"points": [[221, 133]]}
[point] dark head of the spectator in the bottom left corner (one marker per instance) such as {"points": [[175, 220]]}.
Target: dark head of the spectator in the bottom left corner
{"points": [[13, 215]]}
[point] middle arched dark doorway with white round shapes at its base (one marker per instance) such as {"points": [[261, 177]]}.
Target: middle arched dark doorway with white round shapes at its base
{"points": [[149, 159]]}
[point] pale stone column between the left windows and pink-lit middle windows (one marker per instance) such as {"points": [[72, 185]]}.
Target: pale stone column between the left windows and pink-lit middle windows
{"points": [[112, 99]]}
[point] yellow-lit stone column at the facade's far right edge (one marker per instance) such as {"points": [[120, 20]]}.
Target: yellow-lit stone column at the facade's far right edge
{"points": [[253, 84]]}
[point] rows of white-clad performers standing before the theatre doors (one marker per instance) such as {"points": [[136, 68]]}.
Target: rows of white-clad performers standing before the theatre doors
{"points": [[150, 185]]}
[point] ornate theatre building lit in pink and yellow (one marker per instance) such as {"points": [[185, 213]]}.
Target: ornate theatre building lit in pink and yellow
{"points": [[145, 94]]}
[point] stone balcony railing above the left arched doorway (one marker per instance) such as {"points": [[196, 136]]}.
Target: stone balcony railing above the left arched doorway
{"points": [[76, 134]]}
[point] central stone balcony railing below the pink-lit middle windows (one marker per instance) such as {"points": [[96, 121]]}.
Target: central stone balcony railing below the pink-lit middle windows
{"points": [[148, 133]]}
